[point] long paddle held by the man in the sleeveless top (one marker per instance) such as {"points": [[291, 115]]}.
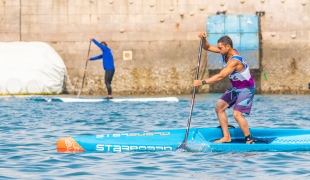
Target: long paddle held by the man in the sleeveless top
{"points": [[183, 145]]}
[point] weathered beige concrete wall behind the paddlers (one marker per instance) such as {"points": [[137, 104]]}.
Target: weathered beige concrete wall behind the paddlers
{"points": [[162, 35]]}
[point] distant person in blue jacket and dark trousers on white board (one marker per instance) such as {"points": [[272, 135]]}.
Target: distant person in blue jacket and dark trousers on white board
{"points": [[107, 63]]}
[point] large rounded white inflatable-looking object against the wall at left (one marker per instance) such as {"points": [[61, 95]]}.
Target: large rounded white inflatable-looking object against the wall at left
{"points": [[30, 68]]}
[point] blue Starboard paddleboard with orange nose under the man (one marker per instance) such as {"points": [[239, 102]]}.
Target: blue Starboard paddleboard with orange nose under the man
{"points": [[199, 139]]}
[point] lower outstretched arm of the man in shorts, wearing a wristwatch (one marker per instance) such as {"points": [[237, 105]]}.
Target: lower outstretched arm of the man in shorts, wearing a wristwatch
{"points": [[231, 66]]}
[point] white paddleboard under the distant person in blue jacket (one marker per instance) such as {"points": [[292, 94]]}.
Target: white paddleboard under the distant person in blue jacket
{"points": [[67, 99]]}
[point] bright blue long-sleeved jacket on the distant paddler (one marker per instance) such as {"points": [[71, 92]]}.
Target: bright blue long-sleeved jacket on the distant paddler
{"points": [[107, 57]]}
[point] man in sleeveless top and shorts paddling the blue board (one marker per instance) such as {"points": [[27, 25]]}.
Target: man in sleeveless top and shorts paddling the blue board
{"points": [[240, 94]]}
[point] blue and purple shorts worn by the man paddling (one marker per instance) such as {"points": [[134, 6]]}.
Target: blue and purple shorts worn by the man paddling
{"points": [[241, 98]]}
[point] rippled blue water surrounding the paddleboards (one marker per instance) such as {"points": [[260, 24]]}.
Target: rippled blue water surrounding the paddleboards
{"points": [[29, 131]]}
